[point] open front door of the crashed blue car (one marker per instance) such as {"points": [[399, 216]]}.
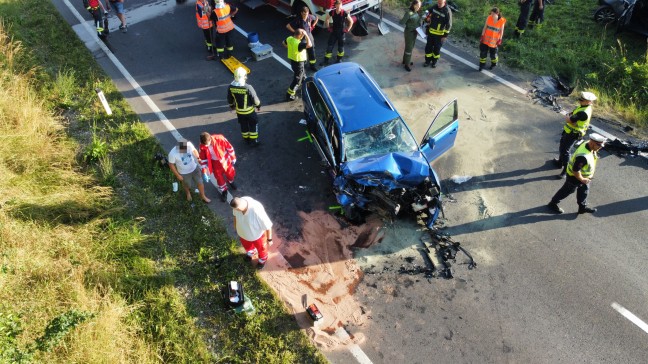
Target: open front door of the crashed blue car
{"points": [[442, 133]]}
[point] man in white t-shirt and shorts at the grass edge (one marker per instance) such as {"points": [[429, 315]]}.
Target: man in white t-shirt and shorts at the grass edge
{"points": [[182, 161]]}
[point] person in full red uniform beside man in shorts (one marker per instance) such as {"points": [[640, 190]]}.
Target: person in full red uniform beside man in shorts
{"points": [[217, 158]]}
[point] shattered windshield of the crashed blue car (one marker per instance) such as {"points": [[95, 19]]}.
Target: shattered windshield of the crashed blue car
{"points": [[388, 137]]}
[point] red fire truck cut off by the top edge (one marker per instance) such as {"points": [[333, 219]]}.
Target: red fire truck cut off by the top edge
{"points": [[318, 7]]}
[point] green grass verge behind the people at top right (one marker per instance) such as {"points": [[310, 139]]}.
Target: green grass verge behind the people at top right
{"points": [[571, 46]]}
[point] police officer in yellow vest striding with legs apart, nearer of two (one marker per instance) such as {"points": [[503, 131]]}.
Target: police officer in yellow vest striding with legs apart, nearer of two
{"points": [[580, 171]]}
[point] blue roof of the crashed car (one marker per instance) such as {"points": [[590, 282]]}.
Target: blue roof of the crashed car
{"points": [[359, 101]]}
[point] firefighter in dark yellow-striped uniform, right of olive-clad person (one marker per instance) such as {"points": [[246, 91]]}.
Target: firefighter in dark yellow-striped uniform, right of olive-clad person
{"points": [[439, 23]]}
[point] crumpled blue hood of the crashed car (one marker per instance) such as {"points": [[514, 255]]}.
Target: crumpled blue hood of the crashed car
{"points": [[392, 170]]}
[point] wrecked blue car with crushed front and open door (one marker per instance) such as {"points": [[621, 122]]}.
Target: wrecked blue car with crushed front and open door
{"points": [[372, 156]]}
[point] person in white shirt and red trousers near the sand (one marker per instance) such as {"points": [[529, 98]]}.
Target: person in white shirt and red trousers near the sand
{"points": [[254, 228]]}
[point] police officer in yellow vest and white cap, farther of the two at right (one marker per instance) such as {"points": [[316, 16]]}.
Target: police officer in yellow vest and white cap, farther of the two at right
{"points": [[575, 128]]}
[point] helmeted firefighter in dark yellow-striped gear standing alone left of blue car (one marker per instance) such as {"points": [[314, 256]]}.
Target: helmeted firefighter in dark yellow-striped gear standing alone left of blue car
{"points": [[242, 98]]}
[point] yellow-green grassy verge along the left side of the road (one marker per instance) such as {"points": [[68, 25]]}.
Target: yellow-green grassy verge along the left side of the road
{"points": [[99, 261]]}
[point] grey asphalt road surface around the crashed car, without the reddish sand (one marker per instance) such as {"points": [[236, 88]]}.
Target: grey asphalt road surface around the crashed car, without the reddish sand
{"points": [[548, 288]]}
